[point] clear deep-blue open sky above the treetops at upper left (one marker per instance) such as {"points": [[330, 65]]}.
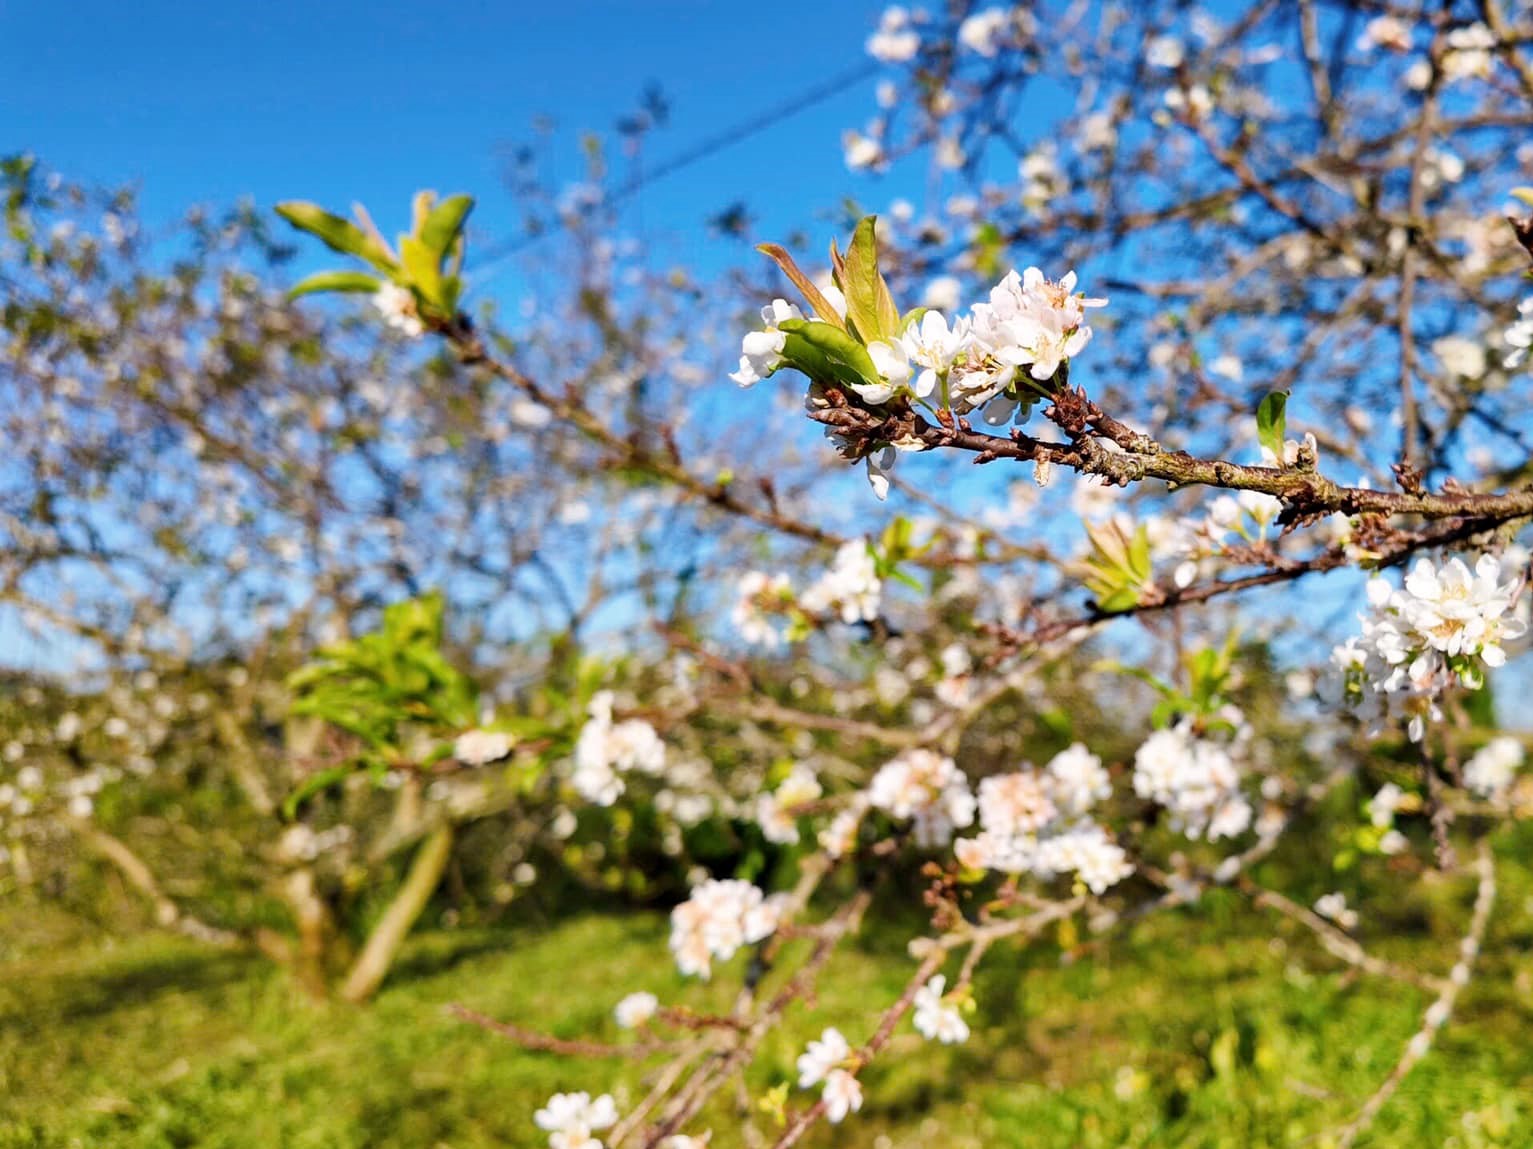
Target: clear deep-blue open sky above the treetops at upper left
{"points": [[340, 102]]}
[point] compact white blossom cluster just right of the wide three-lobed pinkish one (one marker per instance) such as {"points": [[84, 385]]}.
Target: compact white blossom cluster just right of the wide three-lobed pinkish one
{"points": [[1197, 781]]}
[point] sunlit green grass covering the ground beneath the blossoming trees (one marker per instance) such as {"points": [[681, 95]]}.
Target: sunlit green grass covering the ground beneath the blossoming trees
{"points": [[1210, 1029]]}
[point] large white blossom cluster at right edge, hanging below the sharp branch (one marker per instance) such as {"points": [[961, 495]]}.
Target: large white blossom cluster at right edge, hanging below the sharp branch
{"points": [[1442, 627]]}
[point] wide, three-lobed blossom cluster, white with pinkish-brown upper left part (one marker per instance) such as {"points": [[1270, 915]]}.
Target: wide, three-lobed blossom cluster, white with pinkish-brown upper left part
{"points": [[1032, 823]]}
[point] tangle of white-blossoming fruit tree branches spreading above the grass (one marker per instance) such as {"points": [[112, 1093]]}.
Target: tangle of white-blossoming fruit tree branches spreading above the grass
{"points": [[1036, 701]]}
